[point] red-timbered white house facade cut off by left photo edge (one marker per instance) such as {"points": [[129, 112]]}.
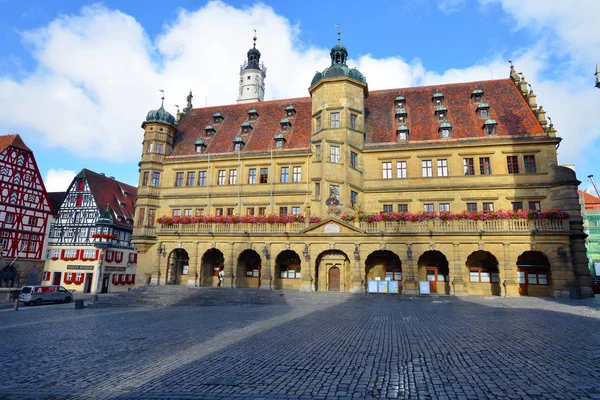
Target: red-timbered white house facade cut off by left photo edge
{"points": [[24, 212]]}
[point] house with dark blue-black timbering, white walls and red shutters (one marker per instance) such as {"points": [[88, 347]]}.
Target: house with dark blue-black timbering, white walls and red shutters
{"points": [[89, 248]]}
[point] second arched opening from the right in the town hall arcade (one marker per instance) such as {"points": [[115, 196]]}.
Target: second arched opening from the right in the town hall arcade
{"points": [[484, 276]]}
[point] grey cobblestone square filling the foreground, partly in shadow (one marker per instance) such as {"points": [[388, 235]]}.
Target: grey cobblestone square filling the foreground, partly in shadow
{"points": [[371, 348]]}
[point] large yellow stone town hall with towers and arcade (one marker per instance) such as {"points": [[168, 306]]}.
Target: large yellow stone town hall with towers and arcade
{"points": [[347, 186]]}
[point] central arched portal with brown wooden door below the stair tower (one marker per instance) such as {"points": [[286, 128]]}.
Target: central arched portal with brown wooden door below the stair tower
{"points": [[332, 271]]}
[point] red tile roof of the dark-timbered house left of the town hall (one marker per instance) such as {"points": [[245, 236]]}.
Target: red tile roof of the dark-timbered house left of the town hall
{"points": [[108, 191]]}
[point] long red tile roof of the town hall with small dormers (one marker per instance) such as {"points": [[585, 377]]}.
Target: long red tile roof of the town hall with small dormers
{"points": [[507, 107]]}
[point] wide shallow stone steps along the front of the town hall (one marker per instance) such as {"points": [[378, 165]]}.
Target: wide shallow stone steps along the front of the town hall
{"points": [[169, 296]]}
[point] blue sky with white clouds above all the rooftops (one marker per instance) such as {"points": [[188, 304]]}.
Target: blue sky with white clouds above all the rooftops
{"points": [[77, 78]]}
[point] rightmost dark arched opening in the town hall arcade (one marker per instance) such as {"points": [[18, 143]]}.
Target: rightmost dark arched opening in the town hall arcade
{"points": [[533, 270]]}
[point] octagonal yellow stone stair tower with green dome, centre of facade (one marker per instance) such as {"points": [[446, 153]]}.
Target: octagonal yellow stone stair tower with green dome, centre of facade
{"points": [[338, 103]]}
